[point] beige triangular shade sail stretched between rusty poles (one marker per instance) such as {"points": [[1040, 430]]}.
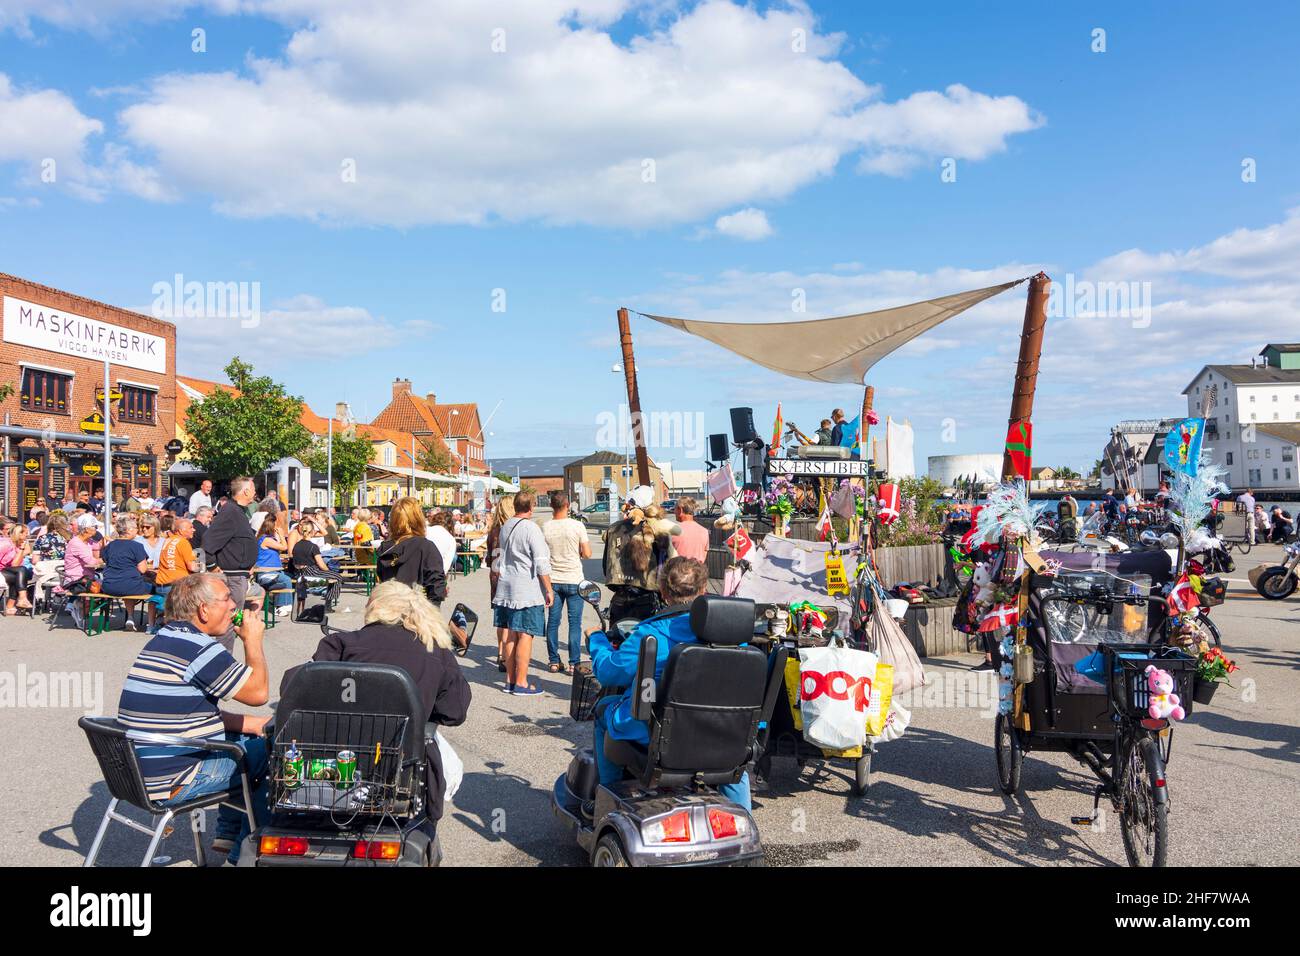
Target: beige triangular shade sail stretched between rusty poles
{"points": [[839, 349]]}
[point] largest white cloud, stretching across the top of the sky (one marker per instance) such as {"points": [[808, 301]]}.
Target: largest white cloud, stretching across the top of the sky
{"points": [[701, 113]]}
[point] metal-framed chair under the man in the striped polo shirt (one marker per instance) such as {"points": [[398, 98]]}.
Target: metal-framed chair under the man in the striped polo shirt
{"points": [[114, 747]]}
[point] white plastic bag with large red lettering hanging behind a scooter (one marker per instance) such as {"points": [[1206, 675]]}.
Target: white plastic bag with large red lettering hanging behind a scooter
{"points": [[835, 694]]}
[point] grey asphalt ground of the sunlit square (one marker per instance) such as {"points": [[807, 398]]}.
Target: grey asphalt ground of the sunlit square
{"points": [[934, 798]]}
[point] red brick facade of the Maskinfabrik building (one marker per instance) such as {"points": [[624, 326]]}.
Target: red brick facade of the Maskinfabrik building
{"points": [[146, 440]]}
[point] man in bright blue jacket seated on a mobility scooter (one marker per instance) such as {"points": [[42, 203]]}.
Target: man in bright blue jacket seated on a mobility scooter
{"points": [[682, 581]]}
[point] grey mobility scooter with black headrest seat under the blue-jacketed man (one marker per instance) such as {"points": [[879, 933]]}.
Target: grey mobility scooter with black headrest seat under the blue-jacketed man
{"points": [[704, 716]]}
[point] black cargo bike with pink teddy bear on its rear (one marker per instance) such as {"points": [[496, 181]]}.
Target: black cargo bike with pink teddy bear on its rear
{"points": [[1115, 607]]}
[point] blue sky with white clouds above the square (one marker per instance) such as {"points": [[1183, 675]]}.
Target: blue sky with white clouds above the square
{"points": [[518, 171]]}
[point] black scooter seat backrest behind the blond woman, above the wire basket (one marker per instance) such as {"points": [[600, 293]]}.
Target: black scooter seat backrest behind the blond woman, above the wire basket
{"points": [[350, 693]]}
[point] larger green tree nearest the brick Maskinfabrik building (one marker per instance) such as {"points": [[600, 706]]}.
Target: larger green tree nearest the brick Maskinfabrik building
{"points": [[244, 432]]}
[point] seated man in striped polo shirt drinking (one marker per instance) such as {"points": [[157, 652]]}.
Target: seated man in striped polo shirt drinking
{"points": [[175, 687]]}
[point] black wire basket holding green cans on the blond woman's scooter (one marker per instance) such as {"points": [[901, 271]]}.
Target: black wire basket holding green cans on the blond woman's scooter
{"points": [[372, 778]]}
